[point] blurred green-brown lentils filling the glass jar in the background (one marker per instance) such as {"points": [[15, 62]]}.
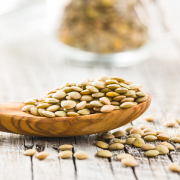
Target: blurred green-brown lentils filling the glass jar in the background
{"points": [[102, 26]]}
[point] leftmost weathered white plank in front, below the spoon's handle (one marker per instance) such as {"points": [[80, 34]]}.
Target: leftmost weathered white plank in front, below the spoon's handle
{"points": [[13, 164]]}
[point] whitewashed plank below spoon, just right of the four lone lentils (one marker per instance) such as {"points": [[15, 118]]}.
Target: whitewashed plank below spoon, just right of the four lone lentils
{"points": [[94, 167]]}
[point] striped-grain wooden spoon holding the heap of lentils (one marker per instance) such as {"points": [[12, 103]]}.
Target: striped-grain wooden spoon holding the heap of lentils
{"points": [[13, 120]]}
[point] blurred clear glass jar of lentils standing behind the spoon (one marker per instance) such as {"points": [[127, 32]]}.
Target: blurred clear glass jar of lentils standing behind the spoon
{"points": [[101, 32]]}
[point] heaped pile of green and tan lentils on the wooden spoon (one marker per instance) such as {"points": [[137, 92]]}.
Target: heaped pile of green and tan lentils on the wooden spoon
{"points": [[88, 96]]}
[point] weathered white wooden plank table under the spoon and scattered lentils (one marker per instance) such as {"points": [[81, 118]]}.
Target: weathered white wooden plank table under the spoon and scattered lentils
{"points": [[31, 63]]}
